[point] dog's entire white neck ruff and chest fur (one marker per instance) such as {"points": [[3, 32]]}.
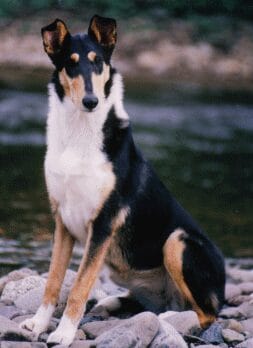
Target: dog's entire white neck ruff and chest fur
{"points": [[78, 173]]}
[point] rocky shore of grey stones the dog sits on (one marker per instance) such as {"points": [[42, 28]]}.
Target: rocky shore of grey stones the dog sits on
{"points": [[21, 292]]}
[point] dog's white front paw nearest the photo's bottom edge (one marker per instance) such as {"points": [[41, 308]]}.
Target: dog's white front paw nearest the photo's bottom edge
{"points": [[65, 332]]}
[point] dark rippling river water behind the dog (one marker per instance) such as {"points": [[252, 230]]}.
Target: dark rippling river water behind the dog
{"points": [[202, 151]]}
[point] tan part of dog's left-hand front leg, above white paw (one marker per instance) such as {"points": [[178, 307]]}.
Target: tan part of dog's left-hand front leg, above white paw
{"points": [[62, 250]]}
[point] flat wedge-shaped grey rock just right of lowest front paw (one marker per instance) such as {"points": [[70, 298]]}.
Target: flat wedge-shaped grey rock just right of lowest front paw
{"points": [[96, 328]]}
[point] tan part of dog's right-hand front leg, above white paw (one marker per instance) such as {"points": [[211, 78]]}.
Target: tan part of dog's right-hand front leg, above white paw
{"points": [[86, 277]]}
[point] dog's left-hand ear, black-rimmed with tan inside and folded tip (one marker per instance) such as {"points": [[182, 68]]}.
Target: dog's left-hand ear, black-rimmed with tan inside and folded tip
{"points": [[55, 38]]}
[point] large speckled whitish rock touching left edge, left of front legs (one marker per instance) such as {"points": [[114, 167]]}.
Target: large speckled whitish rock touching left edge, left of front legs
{"points": [[14, 289]]}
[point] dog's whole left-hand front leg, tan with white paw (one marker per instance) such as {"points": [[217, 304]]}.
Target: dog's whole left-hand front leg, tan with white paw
{"points": [[62, 250]]}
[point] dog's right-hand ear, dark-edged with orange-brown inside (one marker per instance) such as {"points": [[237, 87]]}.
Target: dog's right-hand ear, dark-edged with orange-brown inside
{"points": [[103, 31]]}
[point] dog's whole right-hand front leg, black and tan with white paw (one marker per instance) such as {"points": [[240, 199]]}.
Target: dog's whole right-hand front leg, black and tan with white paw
{"points": [[95, 251]]}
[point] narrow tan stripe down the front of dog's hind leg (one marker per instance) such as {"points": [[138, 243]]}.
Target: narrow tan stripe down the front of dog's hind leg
{"points": [[173, 251]]}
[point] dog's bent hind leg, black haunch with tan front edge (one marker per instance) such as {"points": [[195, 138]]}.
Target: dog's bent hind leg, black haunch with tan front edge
{"points": [[197, 269]]}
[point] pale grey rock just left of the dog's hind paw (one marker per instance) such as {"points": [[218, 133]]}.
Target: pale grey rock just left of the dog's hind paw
{"points": [[184, 322]]}
